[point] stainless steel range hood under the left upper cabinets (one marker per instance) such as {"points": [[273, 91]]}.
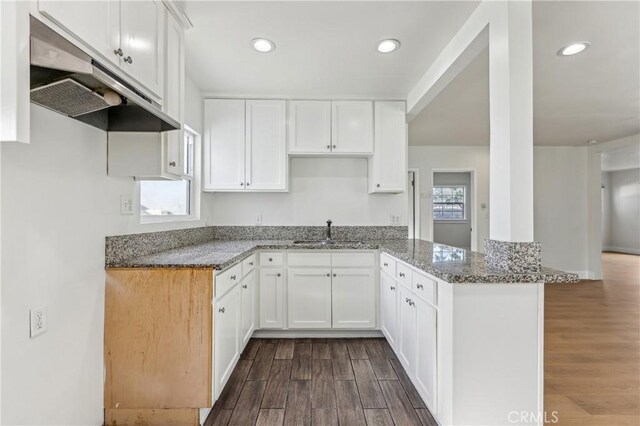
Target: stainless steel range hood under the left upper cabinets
{"points": [[67, 80]]}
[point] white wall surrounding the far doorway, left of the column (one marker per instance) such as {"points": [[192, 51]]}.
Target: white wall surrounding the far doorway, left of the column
{"points": [[430, 158]]}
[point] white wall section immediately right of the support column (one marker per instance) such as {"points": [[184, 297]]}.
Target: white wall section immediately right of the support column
{"points": [[560, 207]]}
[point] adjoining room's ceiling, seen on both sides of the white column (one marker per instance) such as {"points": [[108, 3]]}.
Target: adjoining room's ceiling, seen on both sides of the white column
{"points": [[594, 95]]}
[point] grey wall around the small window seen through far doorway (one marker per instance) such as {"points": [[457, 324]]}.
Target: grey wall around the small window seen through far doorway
{"points": [[455, 233]]}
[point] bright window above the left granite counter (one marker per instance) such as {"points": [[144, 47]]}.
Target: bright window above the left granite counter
{"points": [[171, 200]]}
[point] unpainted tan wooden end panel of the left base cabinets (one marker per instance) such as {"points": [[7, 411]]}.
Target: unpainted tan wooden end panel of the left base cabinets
{"points": [[158, 331]]}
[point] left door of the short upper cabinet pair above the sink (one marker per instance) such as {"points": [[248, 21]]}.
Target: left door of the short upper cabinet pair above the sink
{"points": [[309, 127]]}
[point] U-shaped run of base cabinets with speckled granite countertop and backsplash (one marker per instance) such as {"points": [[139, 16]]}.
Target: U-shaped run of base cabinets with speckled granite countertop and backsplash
{"points": [[468, 335]]}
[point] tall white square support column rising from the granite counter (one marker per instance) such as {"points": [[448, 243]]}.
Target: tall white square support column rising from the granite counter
{"points": [[511, 120]]}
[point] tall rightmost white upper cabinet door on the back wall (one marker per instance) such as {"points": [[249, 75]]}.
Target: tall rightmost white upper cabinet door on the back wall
{"points": [[388, 166]]}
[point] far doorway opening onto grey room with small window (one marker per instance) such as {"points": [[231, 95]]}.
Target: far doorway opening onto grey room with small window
{"points": [[452, 206]]}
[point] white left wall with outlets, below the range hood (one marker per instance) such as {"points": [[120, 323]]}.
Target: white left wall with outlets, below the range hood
{"points": [[57, 206]]}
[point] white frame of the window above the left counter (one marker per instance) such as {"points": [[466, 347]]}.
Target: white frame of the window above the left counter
{"points": [[195, 186]]}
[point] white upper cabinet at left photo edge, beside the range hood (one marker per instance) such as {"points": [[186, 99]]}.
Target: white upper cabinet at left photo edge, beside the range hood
{"points": [[14, 71]]}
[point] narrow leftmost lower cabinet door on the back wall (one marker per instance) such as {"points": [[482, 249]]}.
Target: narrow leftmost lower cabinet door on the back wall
{"points": [[271, 298]]}
